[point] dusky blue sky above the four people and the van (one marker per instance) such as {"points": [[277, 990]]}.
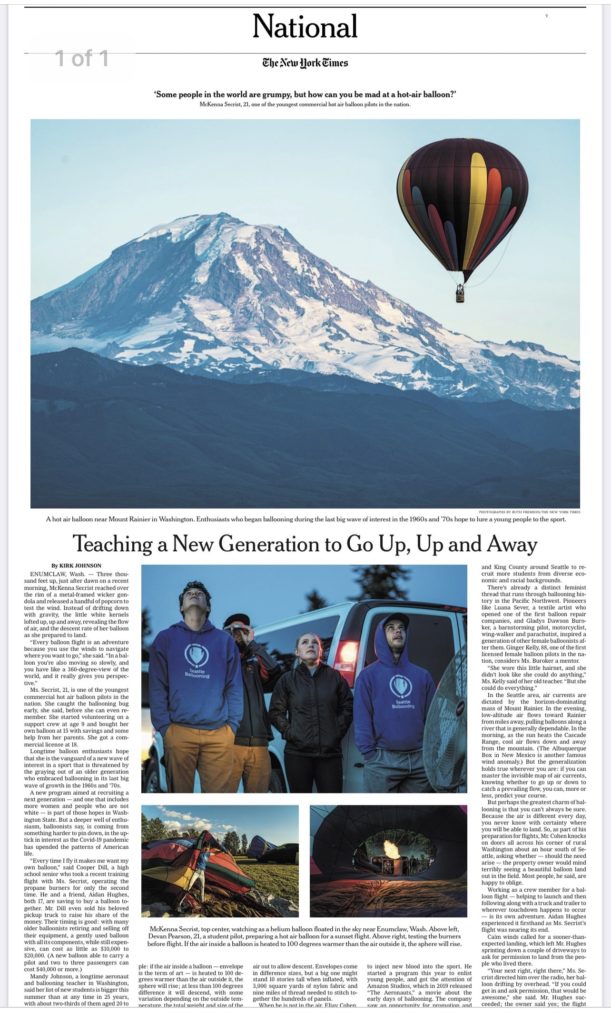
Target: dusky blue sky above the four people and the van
{"points": [[269, 593]]}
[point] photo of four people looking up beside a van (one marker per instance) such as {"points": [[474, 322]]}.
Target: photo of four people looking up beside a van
{"points": [[329, 679]]}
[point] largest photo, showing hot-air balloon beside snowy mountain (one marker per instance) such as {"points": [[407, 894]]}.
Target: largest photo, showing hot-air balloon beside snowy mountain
{"points": [[305, 314]]}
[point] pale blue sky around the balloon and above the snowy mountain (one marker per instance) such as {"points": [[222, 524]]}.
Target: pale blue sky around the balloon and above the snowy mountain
{"points": [[97, 185]]}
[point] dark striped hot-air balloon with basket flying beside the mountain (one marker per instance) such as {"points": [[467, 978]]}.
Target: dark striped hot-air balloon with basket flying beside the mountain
{"points": [[462, 197]]}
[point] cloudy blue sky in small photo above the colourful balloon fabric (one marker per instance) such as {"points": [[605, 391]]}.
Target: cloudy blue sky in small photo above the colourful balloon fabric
{"points": [[278, 825]]}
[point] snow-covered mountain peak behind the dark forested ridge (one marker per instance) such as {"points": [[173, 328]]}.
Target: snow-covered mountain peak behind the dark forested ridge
{"points": [[215, 296]]}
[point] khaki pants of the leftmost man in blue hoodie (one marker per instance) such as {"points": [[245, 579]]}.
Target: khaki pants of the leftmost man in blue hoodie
{"points": [[209, 752]]}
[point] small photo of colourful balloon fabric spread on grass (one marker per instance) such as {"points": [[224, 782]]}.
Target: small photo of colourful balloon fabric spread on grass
{"points": [[221, 862]]}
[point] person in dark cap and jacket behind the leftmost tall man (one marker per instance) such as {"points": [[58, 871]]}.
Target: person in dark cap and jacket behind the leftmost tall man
{"points": [[252, 764]]}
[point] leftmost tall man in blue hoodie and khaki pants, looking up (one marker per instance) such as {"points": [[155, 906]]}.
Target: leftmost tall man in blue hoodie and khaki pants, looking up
{"points": [[197, 696]]}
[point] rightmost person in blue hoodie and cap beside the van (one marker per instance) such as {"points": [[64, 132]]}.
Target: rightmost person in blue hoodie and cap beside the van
{"points": [[392, 698]]}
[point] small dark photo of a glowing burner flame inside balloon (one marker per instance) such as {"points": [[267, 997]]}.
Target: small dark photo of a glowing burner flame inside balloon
{"points": [[403, 862]]}
